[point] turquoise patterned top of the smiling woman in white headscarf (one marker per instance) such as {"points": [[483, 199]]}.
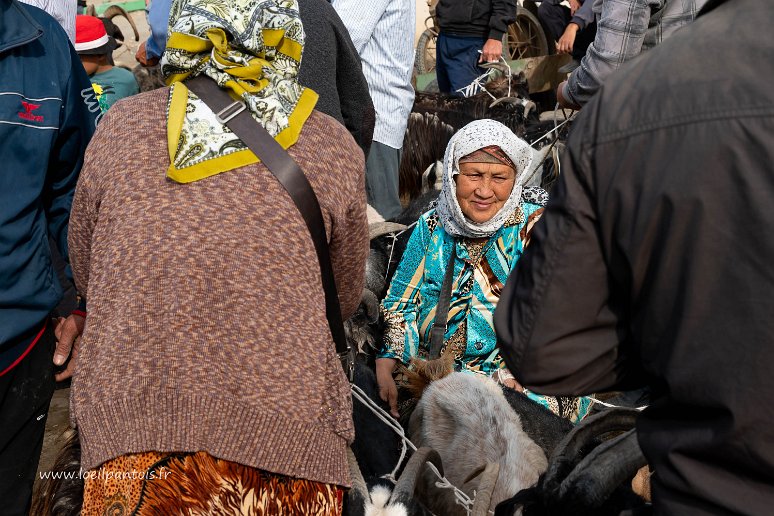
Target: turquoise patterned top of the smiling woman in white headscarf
{"points": [[480, 271]]}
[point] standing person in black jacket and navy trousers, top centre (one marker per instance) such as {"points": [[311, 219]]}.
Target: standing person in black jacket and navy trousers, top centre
{"points": [[471, 33]]}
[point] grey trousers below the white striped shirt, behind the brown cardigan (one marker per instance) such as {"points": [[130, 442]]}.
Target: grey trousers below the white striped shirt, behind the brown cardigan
{"points": [[382, 180]]}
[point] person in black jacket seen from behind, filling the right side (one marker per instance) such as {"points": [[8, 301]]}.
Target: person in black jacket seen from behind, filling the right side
{"points": [[652, 264]]}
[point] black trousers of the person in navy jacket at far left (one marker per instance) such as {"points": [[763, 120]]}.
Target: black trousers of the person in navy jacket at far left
{"points": [[25, 393]]}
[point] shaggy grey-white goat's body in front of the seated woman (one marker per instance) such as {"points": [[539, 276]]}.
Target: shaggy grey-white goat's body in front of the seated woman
{"points": [[467, 419]]}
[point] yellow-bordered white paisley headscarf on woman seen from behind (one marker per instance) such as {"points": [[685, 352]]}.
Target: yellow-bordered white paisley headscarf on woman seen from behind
{"points": [[252, 49]]}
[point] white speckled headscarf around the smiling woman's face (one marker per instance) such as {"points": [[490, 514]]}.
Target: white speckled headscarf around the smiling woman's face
{"points": [[477, 135]]}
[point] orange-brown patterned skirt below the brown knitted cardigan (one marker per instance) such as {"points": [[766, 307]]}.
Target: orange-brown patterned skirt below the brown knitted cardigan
{"points": [[153, 483]]}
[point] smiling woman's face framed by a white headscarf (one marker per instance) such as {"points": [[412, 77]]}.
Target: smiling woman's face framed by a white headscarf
{"points": [[483, 188]]}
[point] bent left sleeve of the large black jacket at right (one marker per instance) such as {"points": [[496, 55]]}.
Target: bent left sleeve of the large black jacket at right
{"points": [[557, 324]]}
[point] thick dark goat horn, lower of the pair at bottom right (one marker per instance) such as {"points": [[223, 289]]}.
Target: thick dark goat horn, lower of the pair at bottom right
{"points": [[602, 471]]}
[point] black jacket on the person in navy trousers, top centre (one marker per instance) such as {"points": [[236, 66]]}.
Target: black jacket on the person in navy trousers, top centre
{"points": [[483, 18]]}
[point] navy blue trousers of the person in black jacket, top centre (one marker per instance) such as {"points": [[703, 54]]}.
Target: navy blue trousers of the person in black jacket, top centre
{"points": [[456, 61]]}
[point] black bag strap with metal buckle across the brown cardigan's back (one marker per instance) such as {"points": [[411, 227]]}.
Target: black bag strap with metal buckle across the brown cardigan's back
{"points": [[236, 117]]}
